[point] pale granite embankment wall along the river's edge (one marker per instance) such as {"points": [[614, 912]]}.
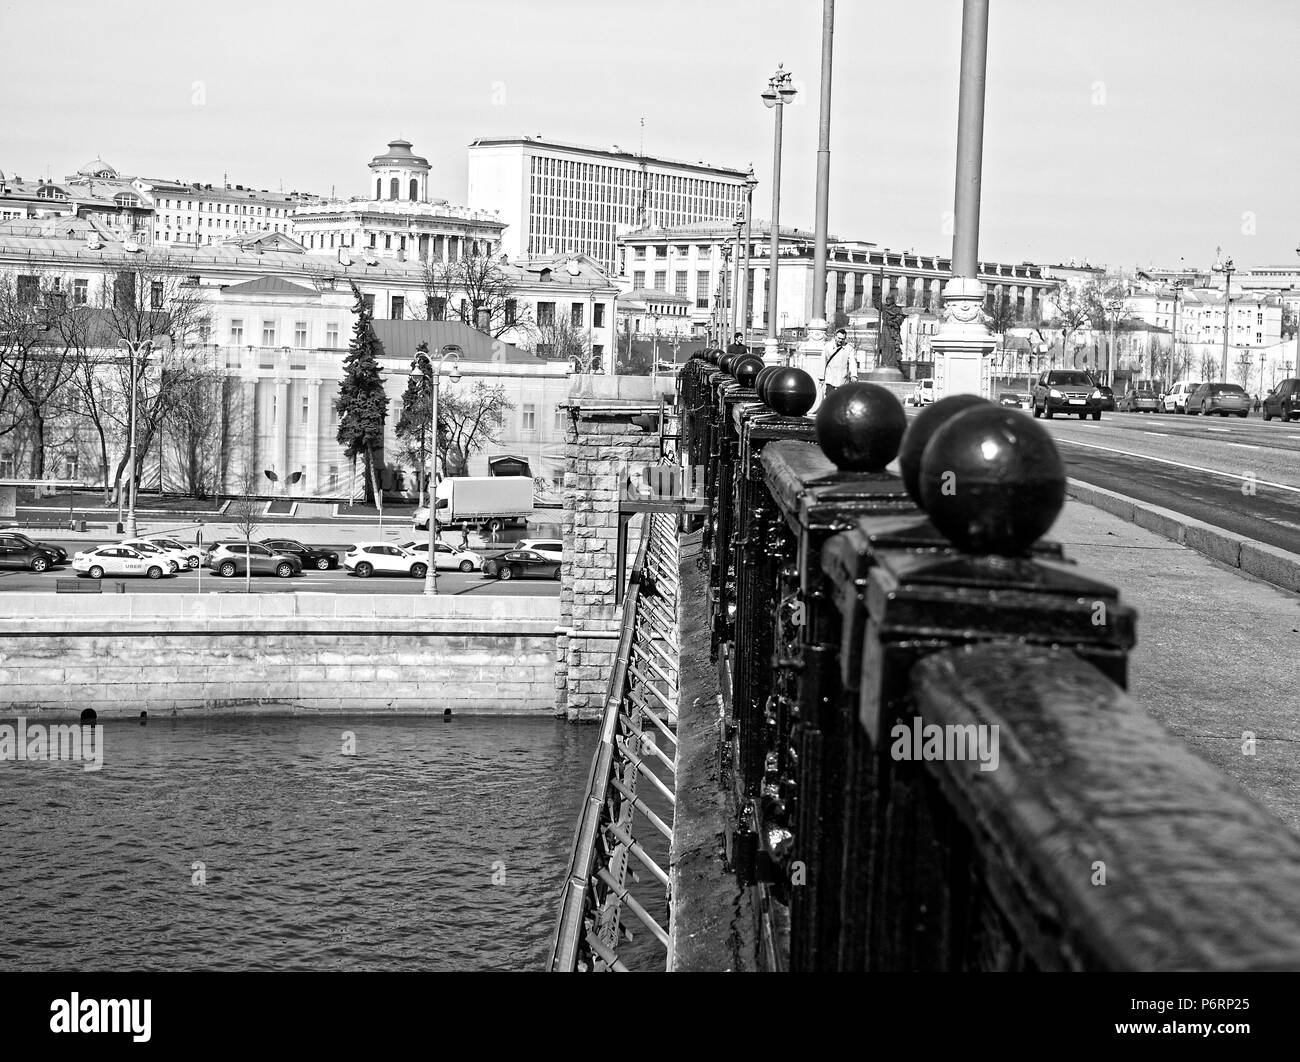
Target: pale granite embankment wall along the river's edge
{"points": [[120, 654]]}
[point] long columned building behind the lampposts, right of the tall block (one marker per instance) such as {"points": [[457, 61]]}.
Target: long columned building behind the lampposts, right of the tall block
{"points": [[700, 262]]}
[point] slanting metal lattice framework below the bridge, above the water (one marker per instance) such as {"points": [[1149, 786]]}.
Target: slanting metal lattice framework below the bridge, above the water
{"points": [[640, 712]]}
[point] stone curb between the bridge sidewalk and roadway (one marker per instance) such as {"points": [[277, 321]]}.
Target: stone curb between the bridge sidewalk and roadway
{"points": [[1272, 565]]}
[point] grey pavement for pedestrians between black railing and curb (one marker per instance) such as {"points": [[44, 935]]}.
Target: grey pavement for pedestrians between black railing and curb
{"points": [[1216, 653]]}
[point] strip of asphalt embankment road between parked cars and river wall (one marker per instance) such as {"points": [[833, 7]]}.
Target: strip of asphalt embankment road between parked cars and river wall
{"points": [[313, 582]]}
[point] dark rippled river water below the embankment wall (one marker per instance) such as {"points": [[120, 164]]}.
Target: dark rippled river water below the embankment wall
{"points": [[313, 860]]}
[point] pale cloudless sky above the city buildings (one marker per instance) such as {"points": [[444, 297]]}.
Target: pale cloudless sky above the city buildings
{"points": [[1129, 133]]}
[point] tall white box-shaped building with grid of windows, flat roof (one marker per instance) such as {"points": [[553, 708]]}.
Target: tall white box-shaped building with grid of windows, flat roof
{"points": [[564, 198]]}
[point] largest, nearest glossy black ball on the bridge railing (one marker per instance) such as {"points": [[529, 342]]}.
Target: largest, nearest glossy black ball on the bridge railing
{"points": [[993, 482]]}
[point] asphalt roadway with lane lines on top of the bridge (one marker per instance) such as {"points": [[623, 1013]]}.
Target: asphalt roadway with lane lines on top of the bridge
{"points": [[1238, 475]]}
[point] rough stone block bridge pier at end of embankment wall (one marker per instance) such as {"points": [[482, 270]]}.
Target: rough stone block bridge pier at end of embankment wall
{"points": [[604, 447]]}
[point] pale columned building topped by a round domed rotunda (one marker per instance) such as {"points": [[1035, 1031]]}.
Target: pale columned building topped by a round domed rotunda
{"points": [[401, 220]]}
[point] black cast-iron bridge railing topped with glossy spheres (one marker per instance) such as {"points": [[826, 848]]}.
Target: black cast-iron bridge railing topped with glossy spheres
{"points": [[938, 766]]}
